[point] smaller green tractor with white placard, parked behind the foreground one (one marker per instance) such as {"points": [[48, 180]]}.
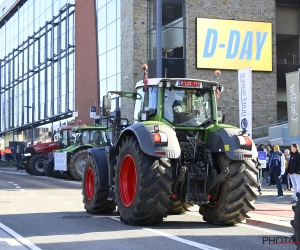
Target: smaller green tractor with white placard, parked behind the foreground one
{"points": [[67, 162]]}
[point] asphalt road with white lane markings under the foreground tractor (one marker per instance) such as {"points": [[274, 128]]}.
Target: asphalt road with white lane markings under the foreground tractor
{"points": [[46, 213]]}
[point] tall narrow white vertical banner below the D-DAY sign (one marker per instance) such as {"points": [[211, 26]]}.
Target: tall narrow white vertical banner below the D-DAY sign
{"points": [[245, 99]]}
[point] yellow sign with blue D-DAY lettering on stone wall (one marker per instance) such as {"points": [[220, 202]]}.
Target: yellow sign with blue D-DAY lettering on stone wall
{"points": [[229, 44]]}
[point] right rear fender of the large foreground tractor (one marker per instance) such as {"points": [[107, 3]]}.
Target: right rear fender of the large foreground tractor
{"points": [[226, 140]]}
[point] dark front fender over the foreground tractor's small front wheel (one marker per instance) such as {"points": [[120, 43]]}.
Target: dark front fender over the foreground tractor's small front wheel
{"points": [[99, 155]]}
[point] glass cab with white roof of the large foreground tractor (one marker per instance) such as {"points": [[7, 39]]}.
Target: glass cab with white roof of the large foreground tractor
{"points": [[177, 102]]}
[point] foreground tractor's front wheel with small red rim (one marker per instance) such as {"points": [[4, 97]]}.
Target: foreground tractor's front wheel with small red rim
{"points": [[95, 200]]}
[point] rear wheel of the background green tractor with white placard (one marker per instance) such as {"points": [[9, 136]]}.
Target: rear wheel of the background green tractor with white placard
{"points": [[76, 165]]}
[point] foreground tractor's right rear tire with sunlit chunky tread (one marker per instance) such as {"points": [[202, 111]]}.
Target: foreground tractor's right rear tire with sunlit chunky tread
{"points": [[235, 195]]}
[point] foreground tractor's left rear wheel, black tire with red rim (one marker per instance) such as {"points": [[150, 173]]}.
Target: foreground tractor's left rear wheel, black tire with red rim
{"points": [[142, 185]]}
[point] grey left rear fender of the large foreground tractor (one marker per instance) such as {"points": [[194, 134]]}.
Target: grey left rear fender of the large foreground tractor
{"points": [[143, 133]]}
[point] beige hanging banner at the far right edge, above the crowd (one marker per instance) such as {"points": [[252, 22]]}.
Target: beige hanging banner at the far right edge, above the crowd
{"points": [[292, 92]]}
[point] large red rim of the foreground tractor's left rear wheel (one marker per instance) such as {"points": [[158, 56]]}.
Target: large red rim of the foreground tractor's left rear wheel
{"points": [[128, 180]]}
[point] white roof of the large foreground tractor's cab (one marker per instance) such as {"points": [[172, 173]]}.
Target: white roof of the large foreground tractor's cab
{"points": [[173, 81]]}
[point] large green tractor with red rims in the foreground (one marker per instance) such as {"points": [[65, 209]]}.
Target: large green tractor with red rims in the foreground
{"points": [[175, 155]]}
